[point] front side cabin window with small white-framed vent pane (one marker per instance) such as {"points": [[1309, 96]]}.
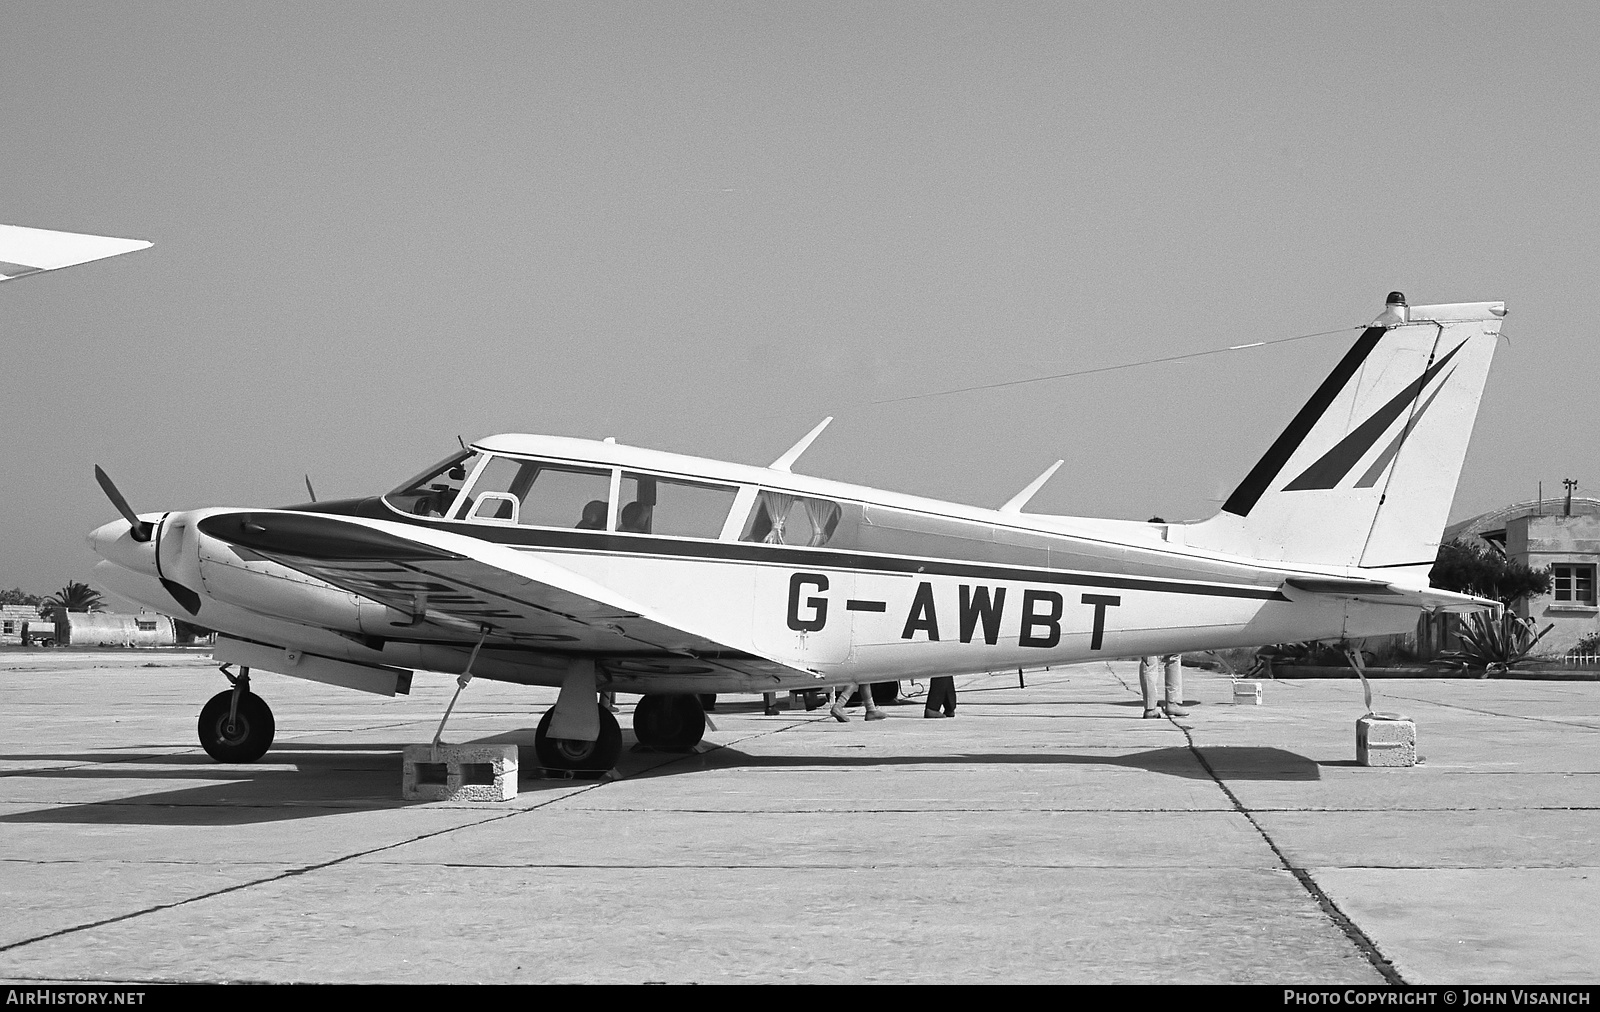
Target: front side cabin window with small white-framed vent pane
{"points": [[538, 494]]}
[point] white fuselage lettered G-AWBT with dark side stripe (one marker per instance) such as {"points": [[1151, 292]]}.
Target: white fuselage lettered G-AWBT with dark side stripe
{"points": [[903, 587]]}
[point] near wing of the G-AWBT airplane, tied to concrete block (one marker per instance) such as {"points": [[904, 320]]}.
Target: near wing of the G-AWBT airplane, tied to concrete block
{"points": [[465, 585]]}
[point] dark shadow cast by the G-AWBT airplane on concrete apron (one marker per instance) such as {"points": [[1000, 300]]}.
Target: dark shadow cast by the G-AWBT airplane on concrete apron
{"points": [[319, 781]]}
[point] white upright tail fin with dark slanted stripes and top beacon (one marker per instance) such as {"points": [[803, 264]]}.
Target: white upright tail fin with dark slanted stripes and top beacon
{"points": [[1364, 476]]}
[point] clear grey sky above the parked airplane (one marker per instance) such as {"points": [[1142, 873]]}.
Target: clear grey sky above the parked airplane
{"points": [[705, 227]]}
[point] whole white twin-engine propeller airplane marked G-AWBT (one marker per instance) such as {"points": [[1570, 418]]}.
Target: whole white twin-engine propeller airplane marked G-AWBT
{"points": [[602, 568]]}
